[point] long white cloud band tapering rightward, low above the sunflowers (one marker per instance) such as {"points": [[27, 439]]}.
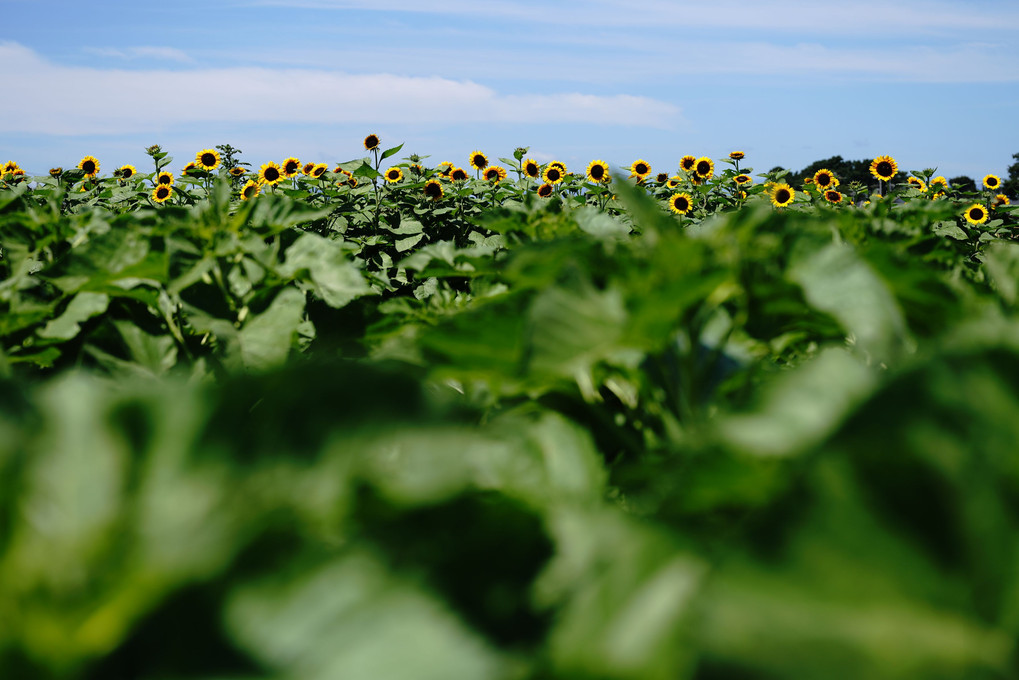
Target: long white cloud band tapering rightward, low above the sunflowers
{"points": [[65, 100]]}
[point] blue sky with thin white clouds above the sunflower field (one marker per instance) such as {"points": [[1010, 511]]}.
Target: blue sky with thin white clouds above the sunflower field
{"points": [[788, 82]]}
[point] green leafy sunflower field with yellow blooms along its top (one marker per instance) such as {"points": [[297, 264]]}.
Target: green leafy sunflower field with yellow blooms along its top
{"points": [[390, 420]]}
